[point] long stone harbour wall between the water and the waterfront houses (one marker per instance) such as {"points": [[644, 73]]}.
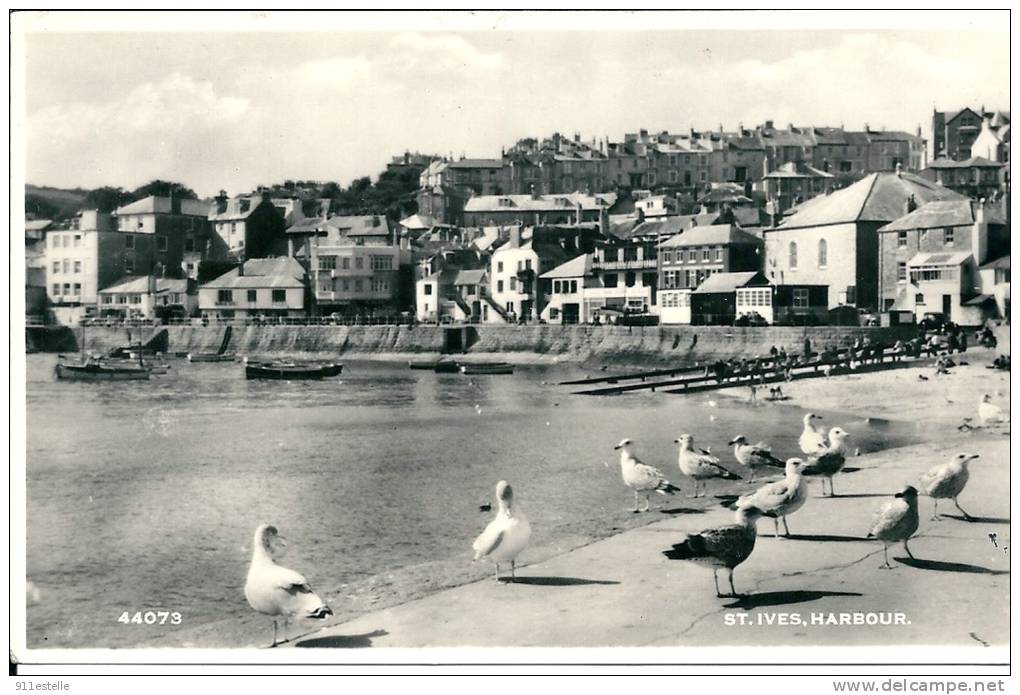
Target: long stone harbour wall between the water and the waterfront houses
{"points": [[521, 344]]}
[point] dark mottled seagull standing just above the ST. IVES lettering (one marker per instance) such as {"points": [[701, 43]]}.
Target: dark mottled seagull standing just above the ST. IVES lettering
{"points": [[722, 548]]}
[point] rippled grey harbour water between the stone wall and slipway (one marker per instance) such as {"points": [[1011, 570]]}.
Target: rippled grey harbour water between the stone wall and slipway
{"points": [[143, 497]]}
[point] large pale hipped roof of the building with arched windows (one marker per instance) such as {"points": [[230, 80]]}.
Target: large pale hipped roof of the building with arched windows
{"points": [[878, 197]]}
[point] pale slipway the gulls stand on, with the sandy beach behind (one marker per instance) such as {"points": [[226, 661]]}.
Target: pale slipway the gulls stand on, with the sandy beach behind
{"points": [[624, 592]]}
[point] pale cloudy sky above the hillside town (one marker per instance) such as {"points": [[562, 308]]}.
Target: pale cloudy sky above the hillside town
{"points": [[236, 110]]}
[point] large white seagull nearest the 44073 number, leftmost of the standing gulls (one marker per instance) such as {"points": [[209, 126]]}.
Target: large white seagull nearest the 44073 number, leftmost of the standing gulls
{"points": [[277, 591]]}
